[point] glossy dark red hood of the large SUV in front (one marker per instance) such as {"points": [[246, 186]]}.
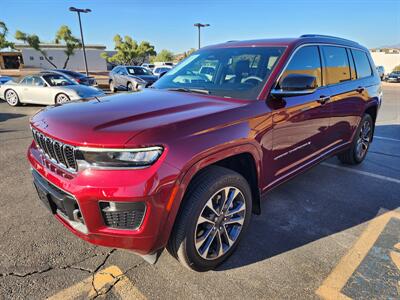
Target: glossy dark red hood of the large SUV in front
{"points": [[112, 121]]}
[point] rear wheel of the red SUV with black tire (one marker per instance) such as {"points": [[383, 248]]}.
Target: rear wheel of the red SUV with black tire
{"points": [[352, 155]]}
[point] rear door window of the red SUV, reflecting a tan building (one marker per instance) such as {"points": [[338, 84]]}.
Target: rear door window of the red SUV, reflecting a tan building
{"points": [[336, 67]]}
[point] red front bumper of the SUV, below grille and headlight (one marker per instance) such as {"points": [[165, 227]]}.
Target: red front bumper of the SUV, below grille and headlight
{"points": [[152, 186]]}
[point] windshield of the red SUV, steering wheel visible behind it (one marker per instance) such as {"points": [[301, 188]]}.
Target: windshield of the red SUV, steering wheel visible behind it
{"points": [[229, 72]]}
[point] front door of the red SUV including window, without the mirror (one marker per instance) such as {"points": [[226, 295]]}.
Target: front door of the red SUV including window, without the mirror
{"points": [[300, 122]]}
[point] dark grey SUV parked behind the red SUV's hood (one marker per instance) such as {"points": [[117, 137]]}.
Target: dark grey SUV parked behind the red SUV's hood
{"points": [[131, 78]]}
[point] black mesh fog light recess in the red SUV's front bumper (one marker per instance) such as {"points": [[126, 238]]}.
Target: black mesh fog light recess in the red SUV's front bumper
{"points": [[122, 215]]}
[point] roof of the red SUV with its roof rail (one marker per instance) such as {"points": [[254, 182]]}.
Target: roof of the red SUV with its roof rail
{"points": [[306, 38]]}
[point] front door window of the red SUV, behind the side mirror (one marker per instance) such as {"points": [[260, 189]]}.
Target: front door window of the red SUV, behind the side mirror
{"points": [[305, 61]]}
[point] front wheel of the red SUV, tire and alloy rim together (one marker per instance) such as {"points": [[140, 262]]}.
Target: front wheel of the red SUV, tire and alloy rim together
{"points": [[214, 216]]}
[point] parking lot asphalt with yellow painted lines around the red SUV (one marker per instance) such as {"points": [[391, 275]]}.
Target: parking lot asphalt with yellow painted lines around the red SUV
{"points": [[331, 232]]}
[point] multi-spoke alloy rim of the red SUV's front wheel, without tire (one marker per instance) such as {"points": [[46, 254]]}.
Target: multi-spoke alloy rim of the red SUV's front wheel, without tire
{"points": [[220, 223]]}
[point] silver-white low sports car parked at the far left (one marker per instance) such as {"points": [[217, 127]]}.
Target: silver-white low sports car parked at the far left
{"points": [[45, 88]]}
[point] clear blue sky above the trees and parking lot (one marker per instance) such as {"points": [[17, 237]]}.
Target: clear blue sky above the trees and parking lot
{"points": [[169, 23]]}
